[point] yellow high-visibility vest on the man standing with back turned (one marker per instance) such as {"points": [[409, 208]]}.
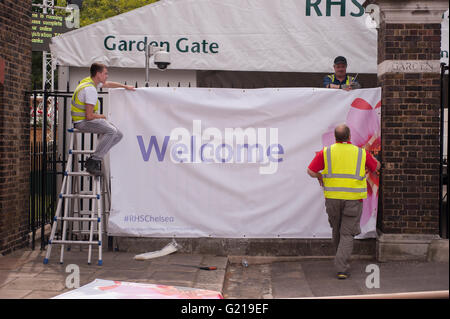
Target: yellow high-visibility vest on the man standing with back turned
{"points": [[344, 175]]}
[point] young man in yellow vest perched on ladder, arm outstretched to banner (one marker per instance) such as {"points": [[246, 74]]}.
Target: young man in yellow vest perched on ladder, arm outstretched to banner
{"points": [[85, 118]]}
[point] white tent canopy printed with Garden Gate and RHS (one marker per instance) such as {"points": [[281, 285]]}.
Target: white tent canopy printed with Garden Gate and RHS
{"points": [[252, 35]]}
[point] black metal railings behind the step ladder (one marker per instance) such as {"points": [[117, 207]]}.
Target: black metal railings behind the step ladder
{"points": [[47, 162]]}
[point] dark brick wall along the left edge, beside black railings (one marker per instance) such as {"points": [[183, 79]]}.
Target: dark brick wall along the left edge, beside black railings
{"points": [[15, 50]]}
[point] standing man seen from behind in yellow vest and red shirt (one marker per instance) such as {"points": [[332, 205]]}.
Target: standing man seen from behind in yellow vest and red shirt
{"points": [[343, 167]]}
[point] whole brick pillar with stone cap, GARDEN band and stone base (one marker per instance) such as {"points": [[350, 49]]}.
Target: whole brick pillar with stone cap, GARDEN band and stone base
{"points": [[409, 41]]}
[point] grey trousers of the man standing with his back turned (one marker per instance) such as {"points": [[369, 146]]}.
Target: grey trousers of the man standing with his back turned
{"points": [[344, 217]]}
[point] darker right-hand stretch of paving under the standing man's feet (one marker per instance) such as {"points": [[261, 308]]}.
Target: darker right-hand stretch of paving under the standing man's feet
{"points": [[316, 278]]}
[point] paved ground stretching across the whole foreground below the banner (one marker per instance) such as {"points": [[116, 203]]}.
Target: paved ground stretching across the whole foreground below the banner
{"points": [[23, 275]]}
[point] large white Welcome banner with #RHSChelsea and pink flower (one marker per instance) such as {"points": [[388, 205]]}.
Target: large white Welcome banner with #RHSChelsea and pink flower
{"points": [[197, 162]]}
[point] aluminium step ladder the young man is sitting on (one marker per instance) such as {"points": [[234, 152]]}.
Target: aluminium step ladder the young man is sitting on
{"points": [[69, 197]]}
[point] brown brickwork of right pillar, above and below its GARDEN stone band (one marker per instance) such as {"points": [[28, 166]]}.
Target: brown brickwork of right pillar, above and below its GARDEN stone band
{"points": [[410, 131]]}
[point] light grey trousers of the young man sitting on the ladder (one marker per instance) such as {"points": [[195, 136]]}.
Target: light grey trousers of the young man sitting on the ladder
{"points": [[108, 135]]}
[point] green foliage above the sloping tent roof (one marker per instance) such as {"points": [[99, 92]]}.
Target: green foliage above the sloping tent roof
{"points": [[98, 10]]}
